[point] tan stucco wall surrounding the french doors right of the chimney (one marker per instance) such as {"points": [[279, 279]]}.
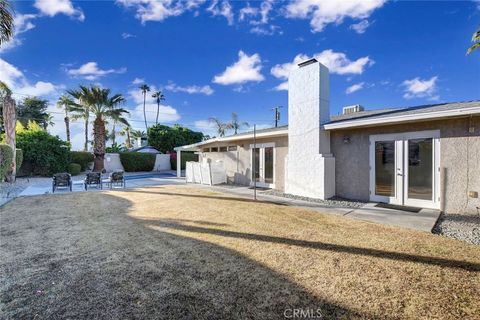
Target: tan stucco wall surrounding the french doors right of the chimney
{"points": [[459, 160]]}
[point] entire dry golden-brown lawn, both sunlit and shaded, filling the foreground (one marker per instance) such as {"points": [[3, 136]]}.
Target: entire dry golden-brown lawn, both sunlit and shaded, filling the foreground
{"points": [[181, 252]]}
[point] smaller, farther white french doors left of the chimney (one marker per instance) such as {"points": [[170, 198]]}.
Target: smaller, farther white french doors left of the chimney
{"points": [[262, 160]]}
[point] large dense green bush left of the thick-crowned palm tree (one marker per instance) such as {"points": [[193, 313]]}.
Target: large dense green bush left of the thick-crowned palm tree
{"points": [[43, 154]]}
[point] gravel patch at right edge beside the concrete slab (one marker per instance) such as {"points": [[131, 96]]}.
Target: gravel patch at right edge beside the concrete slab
{"points": [[460, 227]]}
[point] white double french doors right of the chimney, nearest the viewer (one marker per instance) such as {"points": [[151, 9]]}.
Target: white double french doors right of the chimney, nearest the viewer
{"points": [[405, 169]]}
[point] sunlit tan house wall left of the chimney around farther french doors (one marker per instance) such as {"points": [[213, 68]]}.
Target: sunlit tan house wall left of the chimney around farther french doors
{"points": [[237, 163]]}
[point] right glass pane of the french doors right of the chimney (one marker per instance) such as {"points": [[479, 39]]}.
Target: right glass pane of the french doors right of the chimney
{"points": [[420, 169]]}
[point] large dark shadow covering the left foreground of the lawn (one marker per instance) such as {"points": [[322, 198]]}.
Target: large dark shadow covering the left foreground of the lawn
{"points": [[102, 263]]}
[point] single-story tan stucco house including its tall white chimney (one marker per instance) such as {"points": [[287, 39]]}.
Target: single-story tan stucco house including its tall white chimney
{"points": [[425, 156]]}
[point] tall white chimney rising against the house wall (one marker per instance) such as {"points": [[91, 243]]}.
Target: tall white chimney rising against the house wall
{"points": [[310, 168]]}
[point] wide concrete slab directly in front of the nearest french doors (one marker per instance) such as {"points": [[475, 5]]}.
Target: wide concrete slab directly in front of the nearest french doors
{"points": [[423, 220]]}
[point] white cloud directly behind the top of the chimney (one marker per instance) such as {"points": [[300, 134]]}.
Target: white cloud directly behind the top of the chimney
{"points": [[336, 62]]}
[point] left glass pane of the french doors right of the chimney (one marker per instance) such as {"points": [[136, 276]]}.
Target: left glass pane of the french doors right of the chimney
{"points": [[385, 168]]}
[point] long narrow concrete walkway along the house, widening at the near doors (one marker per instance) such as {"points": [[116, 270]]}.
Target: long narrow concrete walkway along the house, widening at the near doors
{"points": [[424, 220]]}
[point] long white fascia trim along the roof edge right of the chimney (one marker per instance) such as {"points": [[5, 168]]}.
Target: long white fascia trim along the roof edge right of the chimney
{"points": [[372, 121]]}
